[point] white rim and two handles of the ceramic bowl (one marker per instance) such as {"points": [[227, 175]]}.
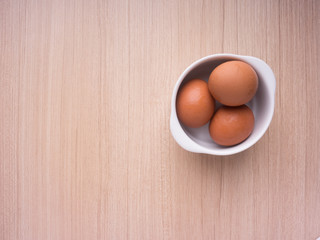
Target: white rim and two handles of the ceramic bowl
{"points": [[188, 143]]}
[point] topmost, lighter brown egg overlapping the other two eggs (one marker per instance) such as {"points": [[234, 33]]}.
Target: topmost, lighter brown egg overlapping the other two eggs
{"points": [[233, 83]]}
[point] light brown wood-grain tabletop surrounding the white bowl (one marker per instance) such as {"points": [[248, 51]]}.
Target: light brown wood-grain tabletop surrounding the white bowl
{"points": [[85, 147]]}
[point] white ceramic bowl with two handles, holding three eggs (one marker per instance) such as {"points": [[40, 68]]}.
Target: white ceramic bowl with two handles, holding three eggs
{"points": [[198, 139]]}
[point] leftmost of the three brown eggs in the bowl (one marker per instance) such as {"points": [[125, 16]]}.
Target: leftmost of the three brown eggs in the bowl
{"points": [[195, 105]]}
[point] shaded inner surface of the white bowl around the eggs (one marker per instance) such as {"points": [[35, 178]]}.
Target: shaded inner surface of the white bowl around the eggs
{"points": [[260, 105]]}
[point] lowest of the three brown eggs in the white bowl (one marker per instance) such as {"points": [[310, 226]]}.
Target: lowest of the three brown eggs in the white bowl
{"points": [[231, 125]]}
